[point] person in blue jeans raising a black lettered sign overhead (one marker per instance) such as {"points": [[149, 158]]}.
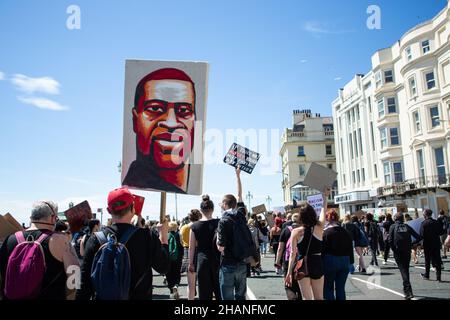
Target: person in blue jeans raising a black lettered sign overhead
{"points": [[235, 243]]}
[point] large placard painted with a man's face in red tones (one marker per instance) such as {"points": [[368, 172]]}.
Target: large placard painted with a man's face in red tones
{"points": [[163, 152]]}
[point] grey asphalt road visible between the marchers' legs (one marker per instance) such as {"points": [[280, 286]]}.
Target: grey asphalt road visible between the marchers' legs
{"points": [[384, 283]]}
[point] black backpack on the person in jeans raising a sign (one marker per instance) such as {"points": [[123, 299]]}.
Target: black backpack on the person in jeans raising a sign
{"points": [[243, 246]]}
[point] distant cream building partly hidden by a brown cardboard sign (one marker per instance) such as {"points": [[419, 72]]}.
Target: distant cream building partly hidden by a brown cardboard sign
{"points": [[311, 139]]}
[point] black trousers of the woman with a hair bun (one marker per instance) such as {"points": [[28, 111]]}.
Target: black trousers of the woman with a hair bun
{"points": [[208, 276]]}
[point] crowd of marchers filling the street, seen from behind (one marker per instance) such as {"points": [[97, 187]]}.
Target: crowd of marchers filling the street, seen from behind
{"points": [[314, 253]]}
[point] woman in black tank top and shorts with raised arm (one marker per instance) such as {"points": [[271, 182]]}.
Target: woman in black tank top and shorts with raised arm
{"points": [[307, 243]]}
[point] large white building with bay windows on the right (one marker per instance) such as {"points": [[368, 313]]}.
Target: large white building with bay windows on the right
{"points": [[392, 128]]}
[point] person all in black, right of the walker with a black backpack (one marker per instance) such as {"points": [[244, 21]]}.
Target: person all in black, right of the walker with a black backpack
{"points": [[430, 231]]}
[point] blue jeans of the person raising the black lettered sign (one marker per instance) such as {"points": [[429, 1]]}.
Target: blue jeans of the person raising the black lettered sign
{"points": [[233, 281]]}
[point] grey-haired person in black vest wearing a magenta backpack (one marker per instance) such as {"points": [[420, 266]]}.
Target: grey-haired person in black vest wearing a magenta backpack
{"points": [[50, 252]]}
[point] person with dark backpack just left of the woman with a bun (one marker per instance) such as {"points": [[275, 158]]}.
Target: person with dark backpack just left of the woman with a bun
{"points": [[173, 276]]}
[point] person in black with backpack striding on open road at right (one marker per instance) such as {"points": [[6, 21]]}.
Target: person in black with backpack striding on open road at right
{"points": [[399, 240]]}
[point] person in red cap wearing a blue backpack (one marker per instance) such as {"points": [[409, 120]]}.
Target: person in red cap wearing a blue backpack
{"points": [[118, 260]]}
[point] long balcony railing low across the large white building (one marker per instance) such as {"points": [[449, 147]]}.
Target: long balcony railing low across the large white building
{"points": [[410, 185]]}
